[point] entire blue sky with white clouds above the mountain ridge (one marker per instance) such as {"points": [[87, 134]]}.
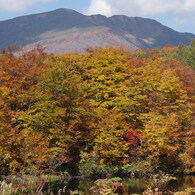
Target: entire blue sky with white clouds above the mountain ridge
{"points": [[176, 14]]}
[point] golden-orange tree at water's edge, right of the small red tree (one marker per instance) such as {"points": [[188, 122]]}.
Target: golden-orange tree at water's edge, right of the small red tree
{"points": [[162, 138]]}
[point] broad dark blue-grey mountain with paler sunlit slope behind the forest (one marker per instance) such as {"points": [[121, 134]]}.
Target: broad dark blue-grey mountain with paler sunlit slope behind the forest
{"points": [[65, 30]]}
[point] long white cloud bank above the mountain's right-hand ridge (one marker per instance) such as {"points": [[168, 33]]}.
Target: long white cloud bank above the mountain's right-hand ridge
{"points": [[140, 7]]}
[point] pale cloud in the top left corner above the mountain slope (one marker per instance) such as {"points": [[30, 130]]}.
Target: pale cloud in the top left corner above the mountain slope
{"points": [[18, 5]]}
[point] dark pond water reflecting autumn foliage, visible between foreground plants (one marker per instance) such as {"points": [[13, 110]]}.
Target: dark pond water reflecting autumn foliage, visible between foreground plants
{"points": [[133, 185]]}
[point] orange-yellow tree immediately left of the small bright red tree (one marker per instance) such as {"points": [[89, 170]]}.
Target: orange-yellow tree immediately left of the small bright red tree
{"points": [[110, 144]]}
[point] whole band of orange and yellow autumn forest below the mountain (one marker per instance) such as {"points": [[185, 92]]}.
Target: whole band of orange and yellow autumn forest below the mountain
{"points": [[108, 111]]}
